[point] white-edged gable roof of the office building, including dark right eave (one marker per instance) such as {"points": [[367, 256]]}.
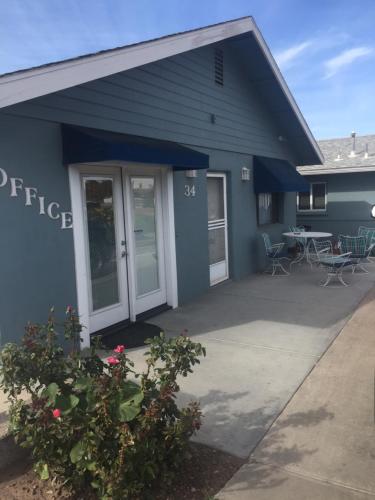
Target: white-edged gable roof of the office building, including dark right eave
{"points": [[35, 82]]}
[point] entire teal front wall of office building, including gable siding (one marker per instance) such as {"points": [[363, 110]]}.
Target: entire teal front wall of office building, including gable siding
{"points": [[173, 100]]}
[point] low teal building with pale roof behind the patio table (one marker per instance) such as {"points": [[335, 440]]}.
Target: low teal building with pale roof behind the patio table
{"points": [[342, 189]]}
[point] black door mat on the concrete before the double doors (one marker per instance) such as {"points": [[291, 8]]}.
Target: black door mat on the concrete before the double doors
{"points": [[130, 336]]}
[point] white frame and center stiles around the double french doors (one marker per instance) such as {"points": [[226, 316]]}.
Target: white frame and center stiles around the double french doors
{"points": [[167, 208]]}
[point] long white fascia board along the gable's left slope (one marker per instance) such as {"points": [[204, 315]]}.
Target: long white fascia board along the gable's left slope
{"points": [[29, 84]]}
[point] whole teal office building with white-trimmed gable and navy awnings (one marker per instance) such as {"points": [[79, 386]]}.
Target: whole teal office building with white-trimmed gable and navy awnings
{"points": [[171, 156]]}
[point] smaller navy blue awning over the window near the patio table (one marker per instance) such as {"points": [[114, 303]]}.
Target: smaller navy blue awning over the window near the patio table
{"points": [[277, 176]]}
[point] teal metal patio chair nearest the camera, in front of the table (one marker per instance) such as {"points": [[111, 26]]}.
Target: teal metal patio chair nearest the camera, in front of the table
{"points": [[334, 264]]}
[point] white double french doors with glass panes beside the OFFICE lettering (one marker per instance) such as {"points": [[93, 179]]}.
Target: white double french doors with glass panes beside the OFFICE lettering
{"points": [[119, 238]]}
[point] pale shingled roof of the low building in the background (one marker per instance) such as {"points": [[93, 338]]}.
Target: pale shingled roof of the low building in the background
{"points": [[338, 157]]}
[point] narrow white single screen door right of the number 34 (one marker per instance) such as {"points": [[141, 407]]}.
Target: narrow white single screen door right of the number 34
{"points": [[217, 227]]}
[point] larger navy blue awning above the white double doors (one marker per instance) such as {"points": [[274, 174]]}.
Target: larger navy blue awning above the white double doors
{"points": [[87, 145]]}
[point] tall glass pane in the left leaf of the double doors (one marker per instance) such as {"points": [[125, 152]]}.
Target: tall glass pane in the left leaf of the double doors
{"points": [[102, 242]]}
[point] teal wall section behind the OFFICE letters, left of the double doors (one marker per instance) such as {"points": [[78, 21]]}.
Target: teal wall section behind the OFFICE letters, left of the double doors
{"points": [[36, 256]]}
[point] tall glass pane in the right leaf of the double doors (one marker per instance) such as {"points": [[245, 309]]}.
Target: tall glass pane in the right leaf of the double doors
{"points": [[146, 251]]}
